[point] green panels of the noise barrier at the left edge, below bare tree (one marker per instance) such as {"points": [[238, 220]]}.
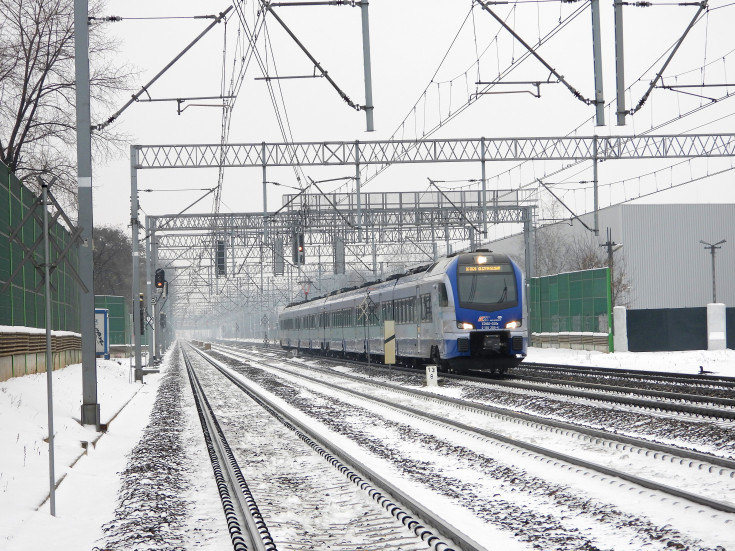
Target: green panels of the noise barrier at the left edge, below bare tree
{"points": [[22, 303]]}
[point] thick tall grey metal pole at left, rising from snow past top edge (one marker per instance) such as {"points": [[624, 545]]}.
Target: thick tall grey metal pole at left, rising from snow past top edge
{"points": [[90, 408]]}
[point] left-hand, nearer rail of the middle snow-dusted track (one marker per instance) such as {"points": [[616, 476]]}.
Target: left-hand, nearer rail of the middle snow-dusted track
{"points": [[651, 485]]}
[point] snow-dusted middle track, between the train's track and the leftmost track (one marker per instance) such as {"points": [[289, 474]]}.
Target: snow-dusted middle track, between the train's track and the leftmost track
{"points": [[687, 459]]}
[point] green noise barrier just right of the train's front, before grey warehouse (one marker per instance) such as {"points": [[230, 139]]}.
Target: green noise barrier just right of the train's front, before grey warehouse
{"points": [[573, 308]]}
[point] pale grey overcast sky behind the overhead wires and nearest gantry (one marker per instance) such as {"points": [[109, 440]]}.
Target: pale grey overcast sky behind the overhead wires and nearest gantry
{"points": [[425, 67]]}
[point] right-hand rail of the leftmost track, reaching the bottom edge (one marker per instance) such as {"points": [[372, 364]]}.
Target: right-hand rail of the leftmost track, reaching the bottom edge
{"points": [[354, 464]]}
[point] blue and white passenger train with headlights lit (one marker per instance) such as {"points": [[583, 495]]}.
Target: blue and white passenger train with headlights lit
{"points": [[463, 312]]}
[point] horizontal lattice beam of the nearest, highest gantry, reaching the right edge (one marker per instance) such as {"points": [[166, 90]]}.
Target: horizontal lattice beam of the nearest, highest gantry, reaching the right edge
{"points": [[433, 151]]}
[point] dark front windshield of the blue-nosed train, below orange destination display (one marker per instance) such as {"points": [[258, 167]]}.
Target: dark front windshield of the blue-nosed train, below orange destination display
{"points": [[489, 289]]}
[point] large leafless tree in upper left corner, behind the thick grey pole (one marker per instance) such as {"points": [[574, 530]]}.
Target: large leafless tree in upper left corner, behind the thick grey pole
{"points": [[37, 90]]}
